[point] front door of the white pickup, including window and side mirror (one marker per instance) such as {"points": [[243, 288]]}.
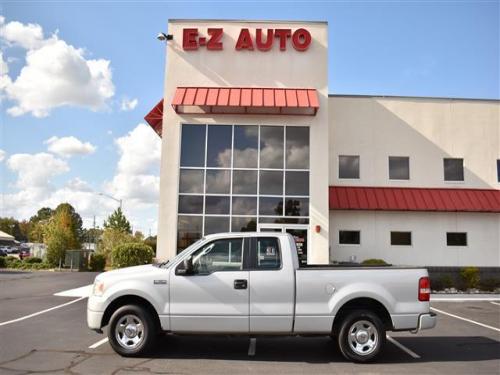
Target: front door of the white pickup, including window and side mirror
{"points": [[215, 296]]}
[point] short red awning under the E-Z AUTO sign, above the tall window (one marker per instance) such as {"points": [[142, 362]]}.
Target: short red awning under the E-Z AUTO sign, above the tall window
{"points": [[237, 100]]}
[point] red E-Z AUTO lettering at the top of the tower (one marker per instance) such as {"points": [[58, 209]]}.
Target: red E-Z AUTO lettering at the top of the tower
{"points": [[264, 40]]}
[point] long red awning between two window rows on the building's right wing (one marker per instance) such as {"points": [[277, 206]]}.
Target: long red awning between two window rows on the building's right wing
{"points": [[414, 199]]}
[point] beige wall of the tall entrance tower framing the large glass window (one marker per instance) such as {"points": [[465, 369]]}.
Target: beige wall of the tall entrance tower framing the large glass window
{"points": [[230, 68]]}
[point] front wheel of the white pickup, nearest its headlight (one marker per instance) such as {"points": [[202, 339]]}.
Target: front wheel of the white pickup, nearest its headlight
{"points": [[132, 331]]}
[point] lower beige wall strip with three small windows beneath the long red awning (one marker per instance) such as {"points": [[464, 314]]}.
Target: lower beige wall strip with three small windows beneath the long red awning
{"points": [[428, 237]]}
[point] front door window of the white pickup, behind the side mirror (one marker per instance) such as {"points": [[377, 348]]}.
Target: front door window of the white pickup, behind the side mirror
{"points": [[219, 255]]}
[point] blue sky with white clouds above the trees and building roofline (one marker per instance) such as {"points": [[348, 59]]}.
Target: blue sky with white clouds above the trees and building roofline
{"points": [[77, 78]]}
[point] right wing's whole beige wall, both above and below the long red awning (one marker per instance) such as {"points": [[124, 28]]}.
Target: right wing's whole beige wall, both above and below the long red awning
{"points": [[426, 130]]}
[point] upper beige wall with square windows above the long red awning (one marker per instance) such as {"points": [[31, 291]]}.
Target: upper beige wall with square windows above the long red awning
{"points": [[426, 130]]}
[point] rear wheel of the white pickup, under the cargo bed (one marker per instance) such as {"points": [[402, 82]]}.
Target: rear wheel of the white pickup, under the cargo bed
{"points": [[361, 336]]}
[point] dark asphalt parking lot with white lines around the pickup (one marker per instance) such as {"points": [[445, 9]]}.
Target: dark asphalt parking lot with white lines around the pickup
{"points": [[58, 340]]}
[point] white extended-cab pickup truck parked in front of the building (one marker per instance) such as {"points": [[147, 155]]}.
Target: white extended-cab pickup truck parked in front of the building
{"points": [[252, 284]]}
